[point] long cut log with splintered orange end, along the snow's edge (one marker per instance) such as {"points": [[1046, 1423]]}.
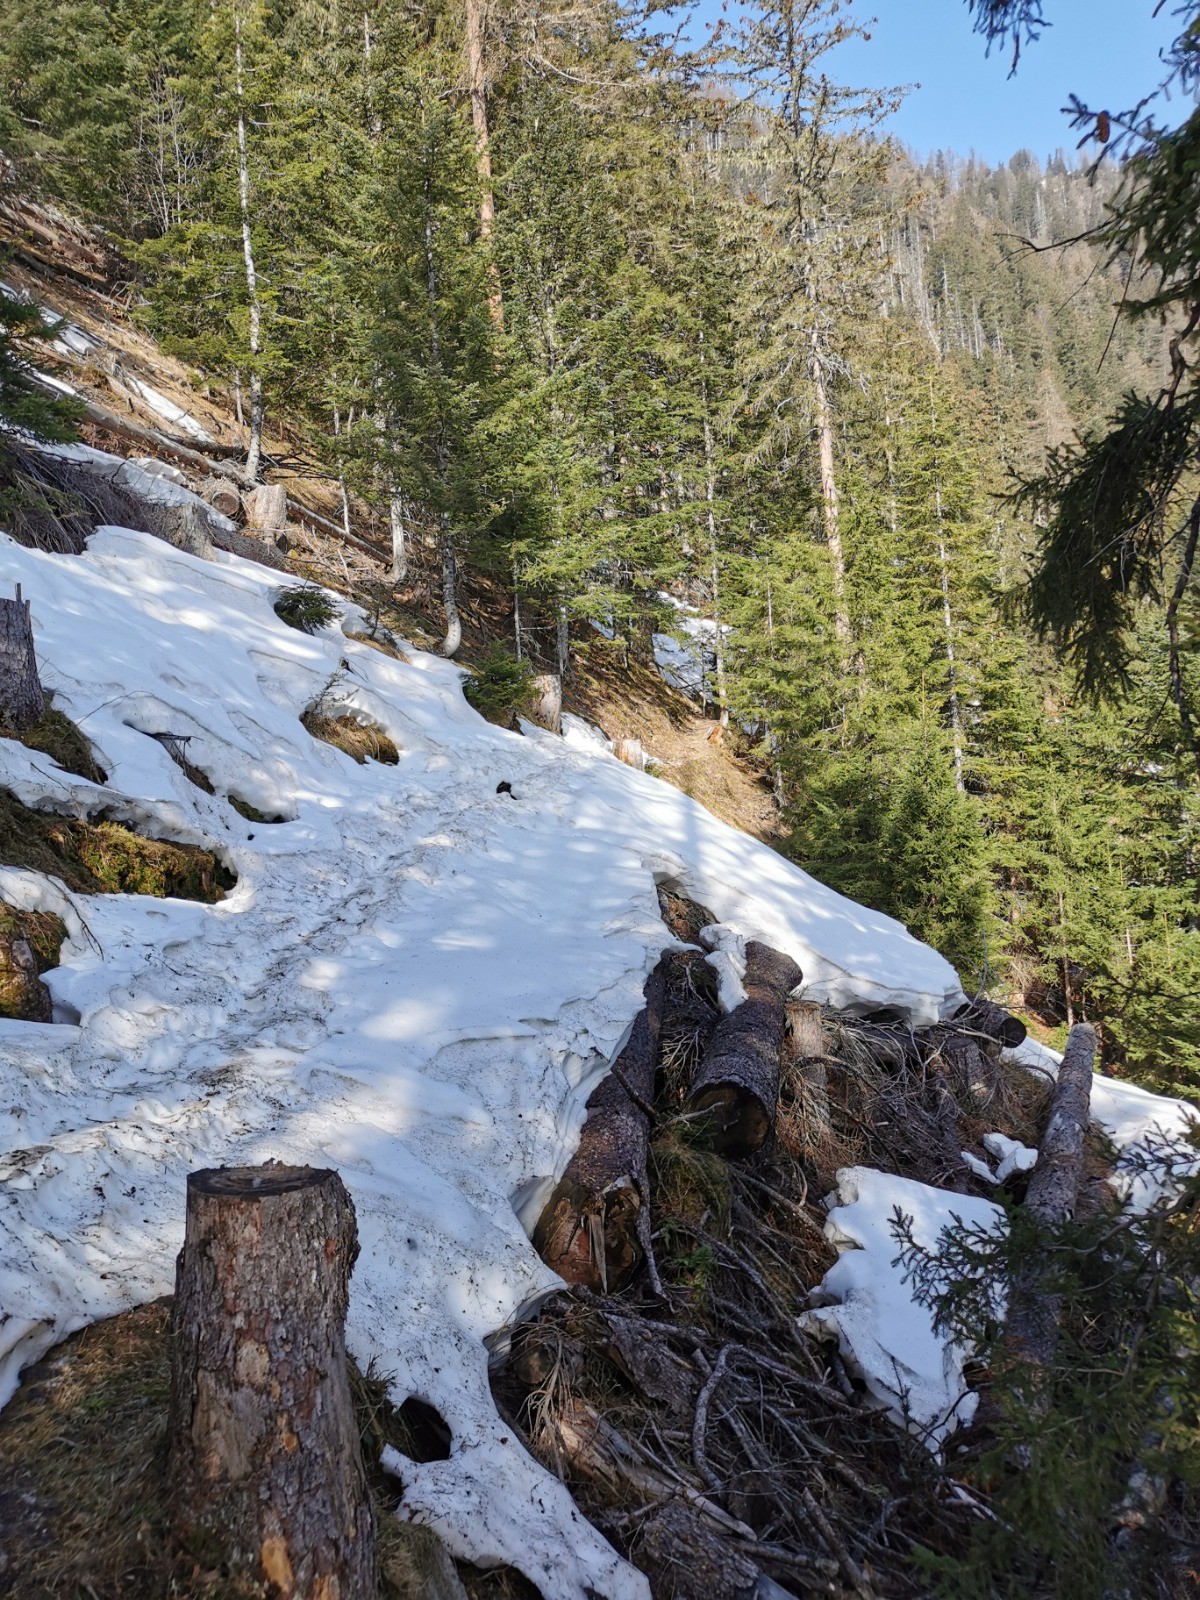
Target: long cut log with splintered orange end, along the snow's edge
{"points": [[596, 1225]]}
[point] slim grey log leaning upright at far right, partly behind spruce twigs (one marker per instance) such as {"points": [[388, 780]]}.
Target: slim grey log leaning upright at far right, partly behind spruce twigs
{"points": [[1031, 1329]]}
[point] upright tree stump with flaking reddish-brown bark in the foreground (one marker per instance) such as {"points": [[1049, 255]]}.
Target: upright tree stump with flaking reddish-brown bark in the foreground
{"points": [[263, 1439]]}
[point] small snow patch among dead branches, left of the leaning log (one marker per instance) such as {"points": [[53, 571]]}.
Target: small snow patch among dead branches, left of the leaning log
{"points": [[865, 1302]]}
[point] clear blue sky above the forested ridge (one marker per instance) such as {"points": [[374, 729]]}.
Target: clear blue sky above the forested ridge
{"points": [[1103, 50]]}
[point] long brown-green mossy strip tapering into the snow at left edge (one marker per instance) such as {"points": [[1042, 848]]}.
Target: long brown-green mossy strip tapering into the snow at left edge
{"points": [[105, 858]]}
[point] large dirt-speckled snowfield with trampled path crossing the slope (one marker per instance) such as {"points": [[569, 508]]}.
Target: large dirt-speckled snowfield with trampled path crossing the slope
{"points": [[417, 980]]}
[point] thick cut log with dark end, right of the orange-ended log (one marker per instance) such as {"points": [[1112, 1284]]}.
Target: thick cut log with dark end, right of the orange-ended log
{"points": [[737, 1082]]}
